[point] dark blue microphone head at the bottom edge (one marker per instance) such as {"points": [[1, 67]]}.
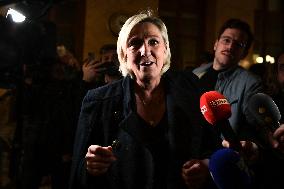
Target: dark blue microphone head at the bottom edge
{"points": [[229, 170]]}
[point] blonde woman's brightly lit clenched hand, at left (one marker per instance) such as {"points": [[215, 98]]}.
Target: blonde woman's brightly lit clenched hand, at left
{"points": [[98, 159]]}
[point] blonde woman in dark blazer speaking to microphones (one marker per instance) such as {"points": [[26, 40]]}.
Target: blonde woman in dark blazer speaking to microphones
{"points": [[143, 131]]}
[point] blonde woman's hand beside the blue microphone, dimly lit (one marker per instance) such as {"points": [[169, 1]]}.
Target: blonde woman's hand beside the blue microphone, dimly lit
{"points": [[195, 173]]}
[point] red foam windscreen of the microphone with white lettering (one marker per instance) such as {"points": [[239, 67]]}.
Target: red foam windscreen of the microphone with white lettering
{"points": [[215, 107]]}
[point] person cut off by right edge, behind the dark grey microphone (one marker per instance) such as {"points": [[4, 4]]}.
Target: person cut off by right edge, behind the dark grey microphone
{"points": [[272, 161]]}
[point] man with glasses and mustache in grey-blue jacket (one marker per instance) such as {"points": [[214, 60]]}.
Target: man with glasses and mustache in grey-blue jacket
{"points": [[234, 82]]}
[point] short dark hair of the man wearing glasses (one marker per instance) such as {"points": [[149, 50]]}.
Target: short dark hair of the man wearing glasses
{"points": [[235, 23]]}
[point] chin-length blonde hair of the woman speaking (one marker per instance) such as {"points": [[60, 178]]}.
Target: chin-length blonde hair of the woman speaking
{"points": [[145, 16]]}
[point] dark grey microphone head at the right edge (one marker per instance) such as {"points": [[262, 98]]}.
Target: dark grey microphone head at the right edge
{"points": [[265, 111]]}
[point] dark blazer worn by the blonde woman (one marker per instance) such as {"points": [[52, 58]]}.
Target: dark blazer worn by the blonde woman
{"points": [[109, 114]]}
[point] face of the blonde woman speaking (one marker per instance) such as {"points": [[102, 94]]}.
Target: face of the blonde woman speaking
{"points": [[146, 52]]}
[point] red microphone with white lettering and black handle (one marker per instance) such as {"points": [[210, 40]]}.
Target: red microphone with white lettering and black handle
{"points": [[216, 109]]}
